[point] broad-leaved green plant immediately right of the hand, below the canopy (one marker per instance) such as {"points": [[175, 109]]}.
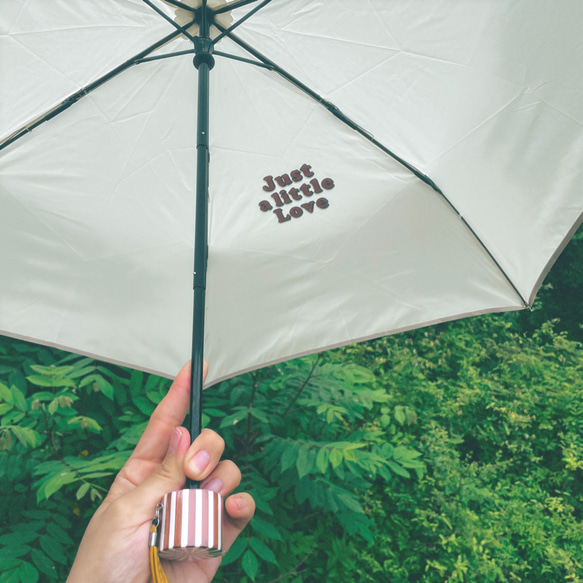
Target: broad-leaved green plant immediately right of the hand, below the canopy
{"points": [[308, 437]]}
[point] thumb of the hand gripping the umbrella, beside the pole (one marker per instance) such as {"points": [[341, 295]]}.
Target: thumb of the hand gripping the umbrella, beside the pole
{"points": [[167, 477]]}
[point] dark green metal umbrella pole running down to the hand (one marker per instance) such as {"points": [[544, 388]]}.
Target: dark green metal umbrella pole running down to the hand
{"points": [[204, 62]]}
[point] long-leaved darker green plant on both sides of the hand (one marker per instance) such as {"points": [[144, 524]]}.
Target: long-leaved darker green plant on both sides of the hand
{"points": [[307, 434]]}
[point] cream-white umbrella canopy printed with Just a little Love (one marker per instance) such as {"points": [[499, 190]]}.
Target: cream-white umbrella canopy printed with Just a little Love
{"points": [[318, 237]]}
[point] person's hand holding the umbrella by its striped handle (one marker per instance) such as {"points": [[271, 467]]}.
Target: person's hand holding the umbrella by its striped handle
{"points": [[115, 545]]}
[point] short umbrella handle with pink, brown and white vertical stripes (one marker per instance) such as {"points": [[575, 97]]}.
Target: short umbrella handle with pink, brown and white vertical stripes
{"points": [[190, 525]]}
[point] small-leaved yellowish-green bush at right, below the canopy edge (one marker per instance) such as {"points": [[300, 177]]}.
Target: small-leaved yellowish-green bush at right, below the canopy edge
{"points": [[500, 419]]}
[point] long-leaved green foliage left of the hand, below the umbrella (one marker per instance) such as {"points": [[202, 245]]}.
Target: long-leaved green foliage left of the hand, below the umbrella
{"points": [[67, 424]]}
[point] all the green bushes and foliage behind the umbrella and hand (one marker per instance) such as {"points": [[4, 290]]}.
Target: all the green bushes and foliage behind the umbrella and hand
{"points": [[452, 453]]}
